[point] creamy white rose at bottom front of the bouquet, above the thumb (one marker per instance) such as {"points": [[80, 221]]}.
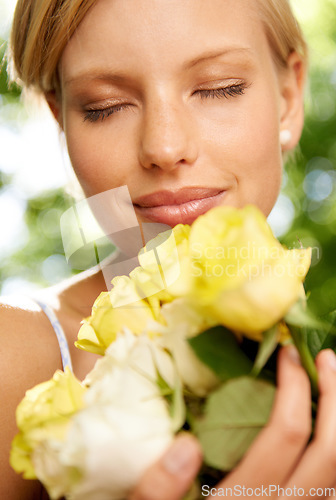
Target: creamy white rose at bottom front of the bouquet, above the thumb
{"points": [[125, 425]]}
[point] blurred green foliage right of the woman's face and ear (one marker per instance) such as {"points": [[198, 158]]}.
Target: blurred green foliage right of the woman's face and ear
{"points": [[311, 172]]}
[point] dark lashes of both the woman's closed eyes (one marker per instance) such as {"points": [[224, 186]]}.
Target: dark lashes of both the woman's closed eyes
{"points": [[93, 115]]}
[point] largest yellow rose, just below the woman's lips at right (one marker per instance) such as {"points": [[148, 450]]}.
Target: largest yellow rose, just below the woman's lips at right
{"points": [[242, 276]]}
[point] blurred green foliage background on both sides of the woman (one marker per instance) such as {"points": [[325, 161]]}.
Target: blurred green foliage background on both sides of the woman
{"points": [[310, 179]]}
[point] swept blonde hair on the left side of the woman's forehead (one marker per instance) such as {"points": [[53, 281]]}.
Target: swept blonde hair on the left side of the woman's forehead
{"points": [[40, 31]]}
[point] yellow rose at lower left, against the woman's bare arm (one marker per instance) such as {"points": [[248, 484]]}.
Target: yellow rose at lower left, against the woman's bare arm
{"points": [[44, 415]]}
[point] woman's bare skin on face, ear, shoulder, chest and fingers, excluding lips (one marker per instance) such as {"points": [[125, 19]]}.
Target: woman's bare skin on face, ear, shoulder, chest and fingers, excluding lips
{"points": [[165, 135]]}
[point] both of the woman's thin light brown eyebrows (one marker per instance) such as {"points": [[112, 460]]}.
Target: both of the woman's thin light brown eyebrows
{"points": [[97, 74]]}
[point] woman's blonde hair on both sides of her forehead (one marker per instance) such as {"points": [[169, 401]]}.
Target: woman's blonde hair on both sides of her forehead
{"points": [[42, 28]]}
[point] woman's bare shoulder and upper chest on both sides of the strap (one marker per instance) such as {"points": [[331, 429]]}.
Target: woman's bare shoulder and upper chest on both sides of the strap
{"points": [[30, 354]]}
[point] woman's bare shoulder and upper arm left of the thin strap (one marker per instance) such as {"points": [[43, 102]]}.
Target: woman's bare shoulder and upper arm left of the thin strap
{"points": [[29, 355]]}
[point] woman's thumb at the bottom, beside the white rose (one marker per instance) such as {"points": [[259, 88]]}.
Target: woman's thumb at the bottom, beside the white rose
{"points": [[173, 475]]}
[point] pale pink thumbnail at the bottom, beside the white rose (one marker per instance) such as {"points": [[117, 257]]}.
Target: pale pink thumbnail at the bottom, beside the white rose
{"points": [[180, 457]]}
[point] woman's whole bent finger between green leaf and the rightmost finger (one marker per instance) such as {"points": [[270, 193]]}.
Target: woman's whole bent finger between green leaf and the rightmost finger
{"points": [[277, 449]]}
